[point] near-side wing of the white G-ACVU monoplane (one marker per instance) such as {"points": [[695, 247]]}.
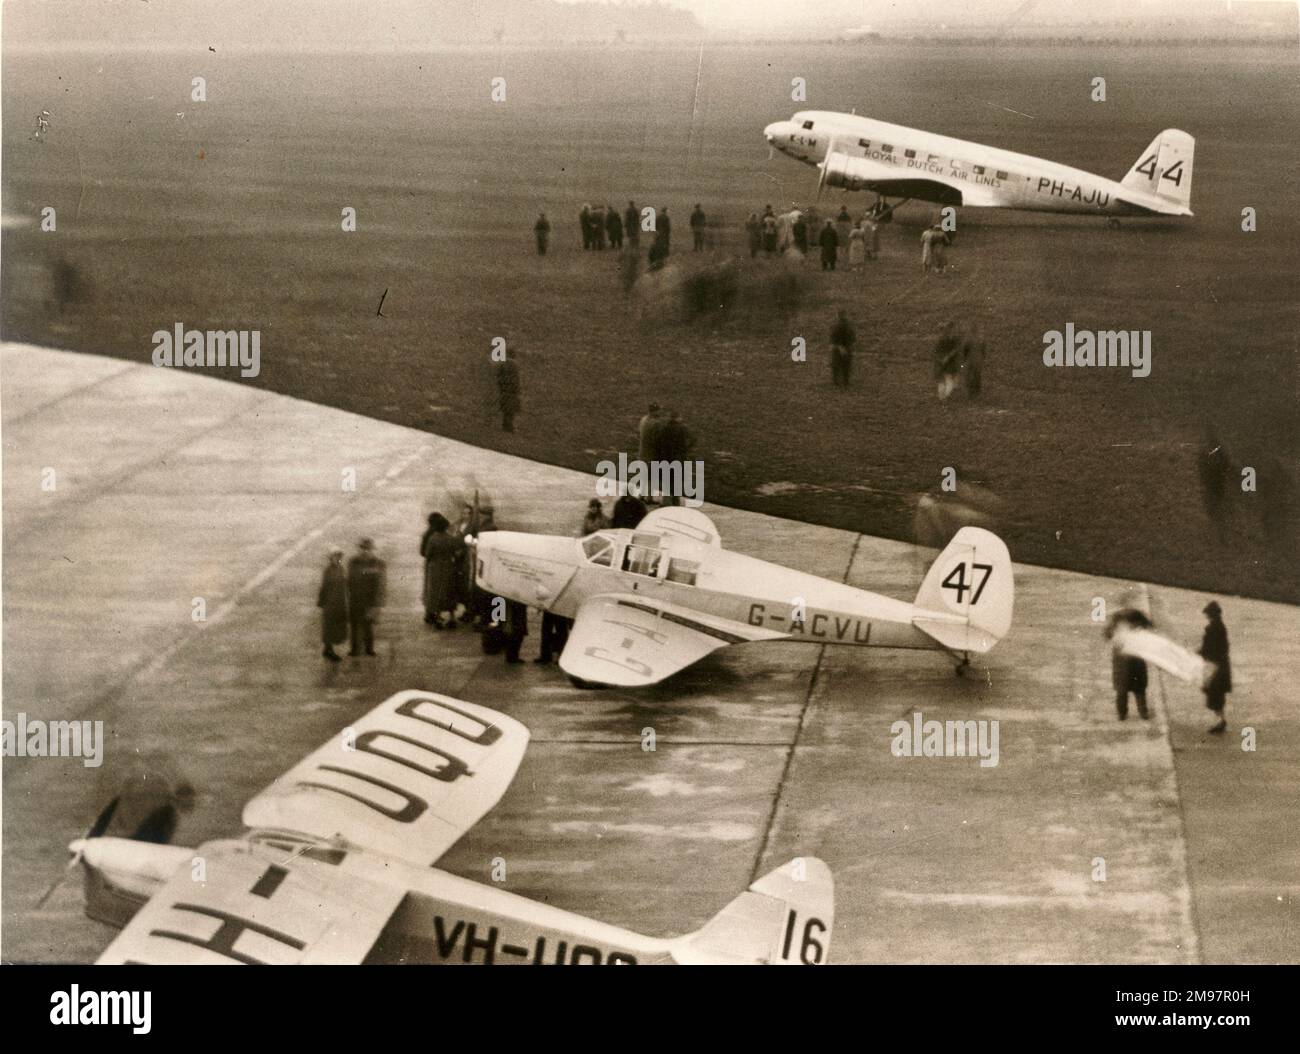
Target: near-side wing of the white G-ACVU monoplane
{"points": [[632, 641]]}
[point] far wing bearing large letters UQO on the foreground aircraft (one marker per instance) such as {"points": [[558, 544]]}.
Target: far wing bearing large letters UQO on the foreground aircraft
{"points": [[408, 779]]}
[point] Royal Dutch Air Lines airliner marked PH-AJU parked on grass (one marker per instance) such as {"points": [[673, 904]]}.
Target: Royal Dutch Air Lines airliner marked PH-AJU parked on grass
{"points": [[895, 162]]}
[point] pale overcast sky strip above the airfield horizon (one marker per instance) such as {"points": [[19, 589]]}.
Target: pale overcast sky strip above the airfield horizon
{"points": [[344, 24]]}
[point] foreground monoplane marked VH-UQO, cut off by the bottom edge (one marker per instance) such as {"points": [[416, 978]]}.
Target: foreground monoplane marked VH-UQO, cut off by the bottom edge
{"points": [[337, 869]]}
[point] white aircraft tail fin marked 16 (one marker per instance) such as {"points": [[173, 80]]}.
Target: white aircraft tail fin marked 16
{"points": [[785, 918]]}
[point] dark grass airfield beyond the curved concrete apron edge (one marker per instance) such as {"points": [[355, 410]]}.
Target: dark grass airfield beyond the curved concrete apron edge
{"points": [[227, 215]]}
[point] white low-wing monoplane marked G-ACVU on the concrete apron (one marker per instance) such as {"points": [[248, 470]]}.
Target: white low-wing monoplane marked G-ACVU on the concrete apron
{"points": [[651, 601]]}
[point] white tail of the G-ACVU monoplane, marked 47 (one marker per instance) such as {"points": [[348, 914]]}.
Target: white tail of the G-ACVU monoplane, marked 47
{"points": [[967, 600]]}
